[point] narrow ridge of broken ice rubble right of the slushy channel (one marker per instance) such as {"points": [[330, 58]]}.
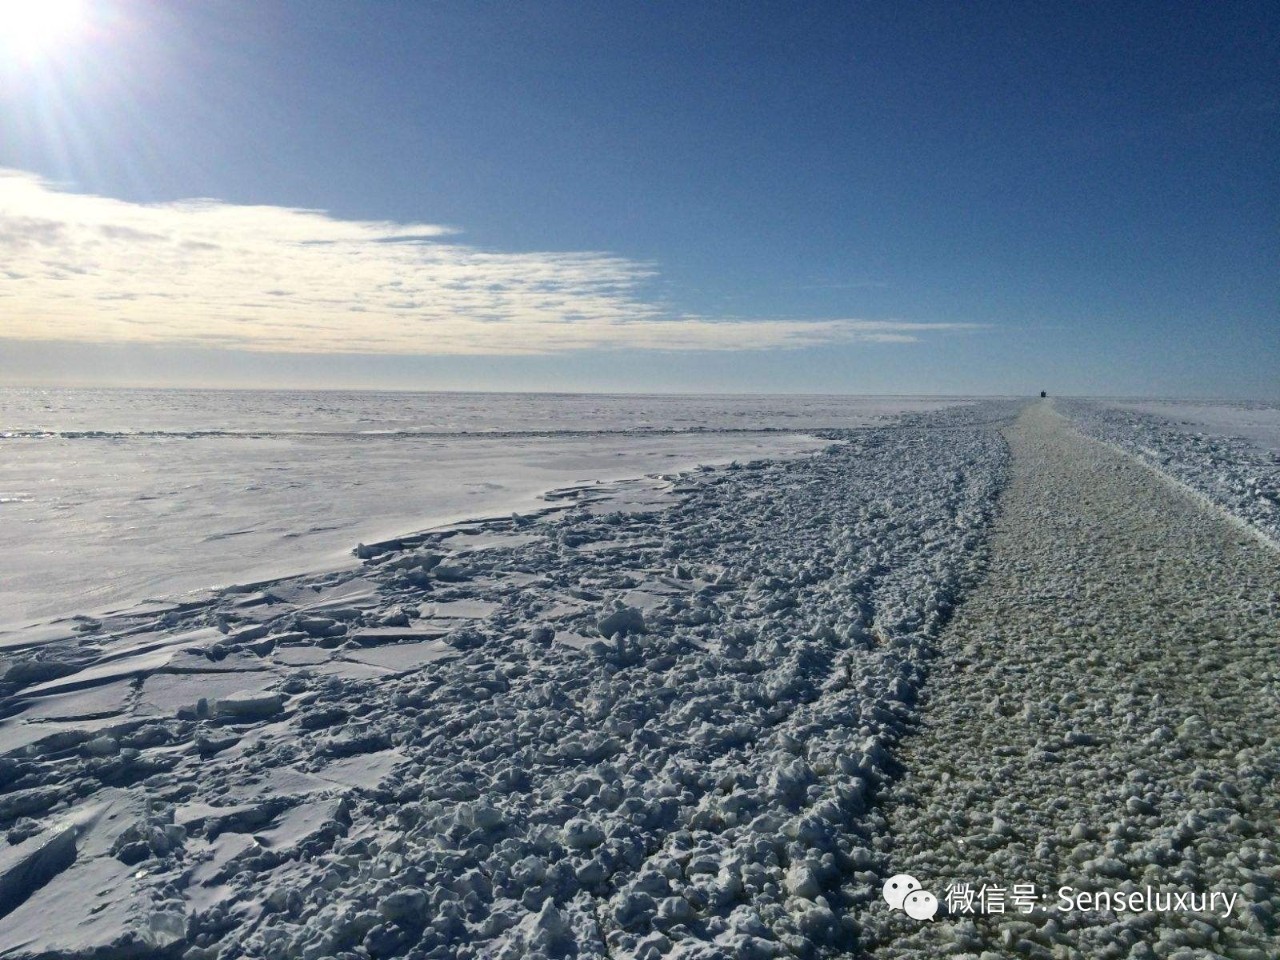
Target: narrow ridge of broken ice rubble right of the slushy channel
{"points": [[1232, 473]]}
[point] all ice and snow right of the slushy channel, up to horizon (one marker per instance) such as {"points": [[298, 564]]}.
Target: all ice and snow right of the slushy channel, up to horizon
{"points": [[1229, 454]]}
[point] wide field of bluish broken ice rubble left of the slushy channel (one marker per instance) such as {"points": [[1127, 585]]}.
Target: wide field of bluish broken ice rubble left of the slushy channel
{"points": [[629, 726]]}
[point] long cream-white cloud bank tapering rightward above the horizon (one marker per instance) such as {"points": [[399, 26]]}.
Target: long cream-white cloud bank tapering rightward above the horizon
{"points": [[266, 278]]}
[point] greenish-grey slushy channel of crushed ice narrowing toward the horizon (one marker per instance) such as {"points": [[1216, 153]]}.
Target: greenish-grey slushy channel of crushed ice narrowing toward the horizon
{"points": [[1105, 715]]}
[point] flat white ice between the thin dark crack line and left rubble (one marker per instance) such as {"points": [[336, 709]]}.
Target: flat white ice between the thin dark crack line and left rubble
{"points": [[94, 523]]}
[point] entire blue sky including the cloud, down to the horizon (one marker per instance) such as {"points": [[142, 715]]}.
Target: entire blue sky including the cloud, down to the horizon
{"points": [[670, 196]]}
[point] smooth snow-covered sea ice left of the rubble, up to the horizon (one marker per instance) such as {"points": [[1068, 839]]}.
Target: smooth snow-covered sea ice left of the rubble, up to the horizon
{"points": [[113, 497]]}
